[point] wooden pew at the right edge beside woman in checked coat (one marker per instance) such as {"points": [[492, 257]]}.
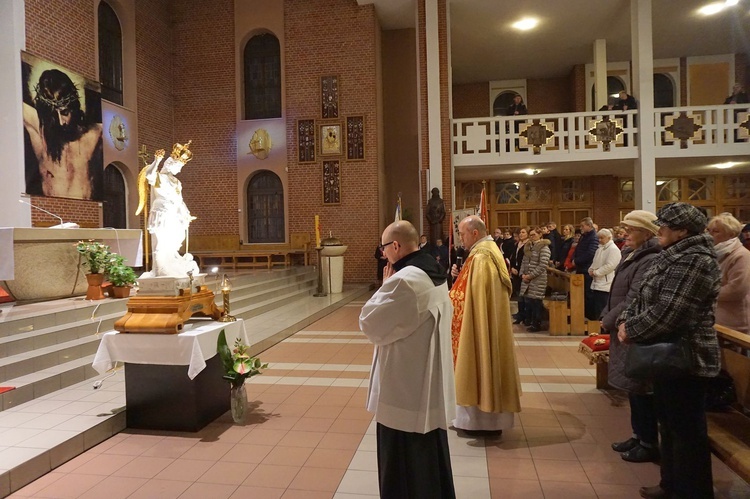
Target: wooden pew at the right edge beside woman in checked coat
{"points": [[729, 432]]}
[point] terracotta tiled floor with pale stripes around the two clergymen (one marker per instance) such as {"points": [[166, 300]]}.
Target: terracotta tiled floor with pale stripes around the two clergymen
{"points": [[309, 436]]}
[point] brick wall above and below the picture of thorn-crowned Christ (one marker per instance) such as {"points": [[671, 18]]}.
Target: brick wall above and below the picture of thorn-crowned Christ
{"points": [[62, 31]]}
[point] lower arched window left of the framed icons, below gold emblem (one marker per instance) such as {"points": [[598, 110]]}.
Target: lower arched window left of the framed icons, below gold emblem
{"points": [[265, 208]]}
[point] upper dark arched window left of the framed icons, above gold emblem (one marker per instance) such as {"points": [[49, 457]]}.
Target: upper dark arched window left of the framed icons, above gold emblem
{"points": [[262, 73]]}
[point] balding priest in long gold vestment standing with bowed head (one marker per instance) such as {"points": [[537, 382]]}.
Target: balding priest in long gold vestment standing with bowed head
{"points": [[488, 386]]}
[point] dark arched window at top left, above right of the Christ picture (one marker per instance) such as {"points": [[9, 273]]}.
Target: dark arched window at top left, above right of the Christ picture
{"points": [[110, 54]]}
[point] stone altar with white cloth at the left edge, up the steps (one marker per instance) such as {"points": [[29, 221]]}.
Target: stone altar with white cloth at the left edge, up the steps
{"points": [[43, 264]]}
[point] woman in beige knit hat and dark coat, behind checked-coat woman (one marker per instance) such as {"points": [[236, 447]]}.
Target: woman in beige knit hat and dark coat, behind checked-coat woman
{"points": [[641, 247]]}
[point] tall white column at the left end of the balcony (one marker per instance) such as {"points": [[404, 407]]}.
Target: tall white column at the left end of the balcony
{"points": [[433, 95]]}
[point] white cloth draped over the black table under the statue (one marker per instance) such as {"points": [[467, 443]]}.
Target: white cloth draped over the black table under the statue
{"points": [[190, 348]]}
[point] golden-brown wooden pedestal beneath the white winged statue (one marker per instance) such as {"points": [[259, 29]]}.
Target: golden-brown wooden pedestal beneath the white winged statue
{"points": [[162, 307]]}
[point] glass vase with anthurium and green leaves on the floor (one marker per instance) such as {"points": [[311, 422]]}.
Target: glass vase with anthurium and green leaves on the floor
{"points": [[238, 366]]}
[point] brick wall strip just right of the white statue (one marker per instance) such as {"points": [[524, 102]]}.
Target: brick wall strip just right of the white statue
{"points": [[203, 76]]}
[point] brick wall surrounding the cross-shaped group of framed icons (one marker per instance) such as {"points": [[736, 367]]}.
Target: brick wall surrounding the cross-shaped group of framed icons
{"points": [[334, 37]]}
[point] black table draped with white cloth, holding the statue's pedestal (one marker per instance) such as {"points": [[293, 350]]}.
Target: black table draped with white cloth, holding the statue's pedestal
{"points": [[172, 381]]}
